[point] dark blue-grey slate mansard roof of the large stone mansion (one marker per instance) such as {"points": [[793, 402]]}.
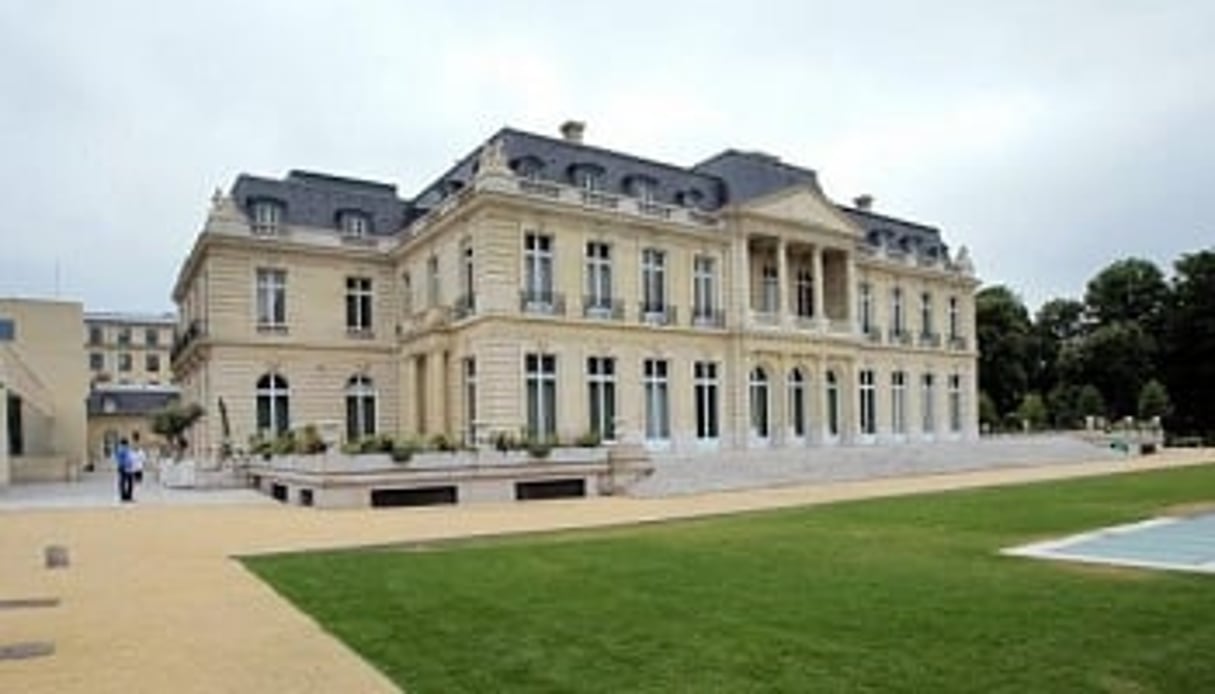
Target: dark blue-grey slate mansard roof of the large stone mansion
{"points": [[730, 178]]}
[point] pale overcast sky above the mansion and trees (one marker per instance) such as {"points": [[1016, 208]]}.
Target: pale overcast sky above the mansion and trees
{"points": [[1049, 138]]}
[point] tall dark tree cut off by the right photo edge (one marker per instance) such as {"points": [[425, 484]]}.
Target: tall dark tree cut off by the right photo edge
{"points": [[1190, 343]]}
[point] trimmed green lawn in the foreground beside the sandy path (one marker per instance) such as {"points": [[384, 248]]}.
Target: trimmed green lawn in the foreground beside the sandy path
{"points": [[903, 595]]}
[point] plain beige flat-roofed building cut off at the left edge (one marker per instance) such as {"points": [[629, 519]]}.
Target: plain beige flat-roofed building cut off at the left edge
{"points": [[43, 388]]}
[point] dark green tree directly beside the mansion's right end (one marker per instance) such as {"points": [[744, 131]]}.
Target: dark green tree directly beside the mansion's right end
{"points": [[1004, 342]]}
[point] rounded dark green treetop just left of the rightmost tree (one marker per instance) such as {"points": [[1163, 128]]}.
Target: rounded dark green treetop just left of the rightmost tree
{"points": [[1128, 291]]}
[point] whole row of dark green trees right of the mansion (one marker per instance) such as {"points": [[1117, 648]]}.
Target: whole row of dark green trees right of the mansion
{"points": [[1139, 345]]}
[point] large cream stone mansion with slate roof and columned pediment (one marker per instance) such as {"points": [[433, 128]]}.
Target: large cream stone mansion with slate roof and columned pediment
{"points": [[549, 287]]}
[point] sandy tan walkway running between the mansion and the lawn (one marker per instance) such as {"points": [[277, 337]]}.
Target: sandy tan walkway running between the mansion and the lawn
{"points": [[155, 602]]}
